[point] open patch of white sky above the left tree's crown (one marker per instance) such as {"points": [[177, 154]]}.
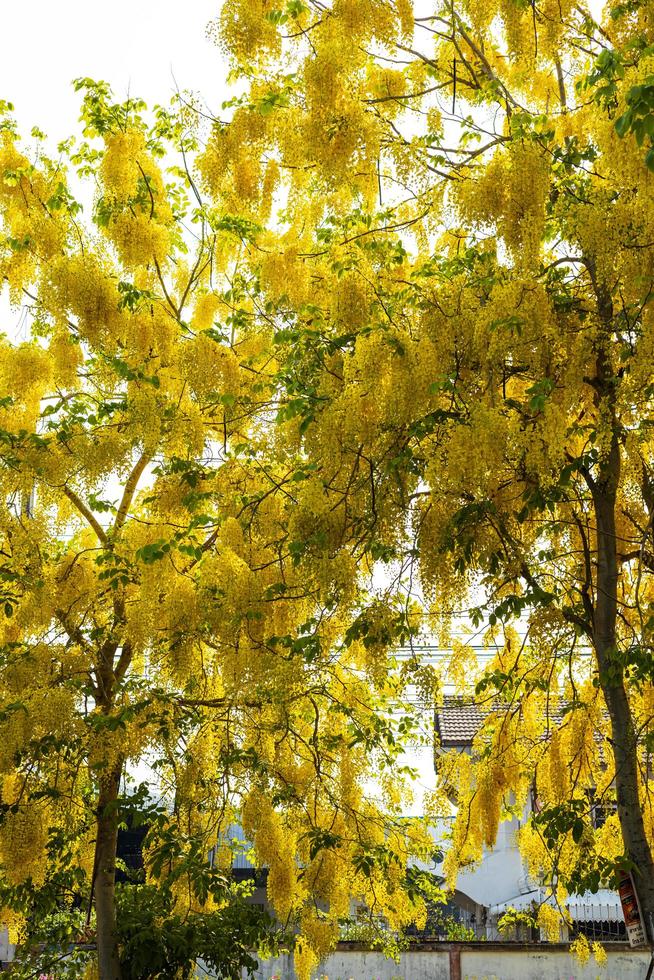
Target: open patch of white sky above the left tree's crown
{"points": [[135, 45]]}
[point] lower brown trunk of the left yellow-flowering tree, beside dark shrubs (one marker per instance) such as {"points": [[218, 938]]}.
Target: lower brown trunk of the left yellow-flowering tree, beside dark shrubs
{"points": [[105, 876]]}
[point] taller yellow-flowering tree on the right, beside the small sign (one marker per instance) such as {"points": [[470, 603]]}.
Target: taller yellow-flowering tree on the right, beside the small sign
{"points": [[461, 272]]}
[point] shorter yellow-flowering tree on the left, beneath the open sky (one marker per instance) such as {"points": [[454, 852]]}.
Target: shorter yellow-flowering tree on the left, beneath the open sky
{"points": [[176, 589]]}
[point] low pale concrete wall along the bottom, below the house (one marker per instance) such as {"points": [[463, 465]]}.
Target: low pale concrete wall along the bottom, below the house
{"points": [[460, 961]]}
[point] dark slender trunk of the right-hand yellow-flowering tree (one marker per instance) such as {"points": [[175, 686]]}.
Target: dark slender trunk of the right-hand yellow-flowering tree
{"points": [[612, 680]]}
